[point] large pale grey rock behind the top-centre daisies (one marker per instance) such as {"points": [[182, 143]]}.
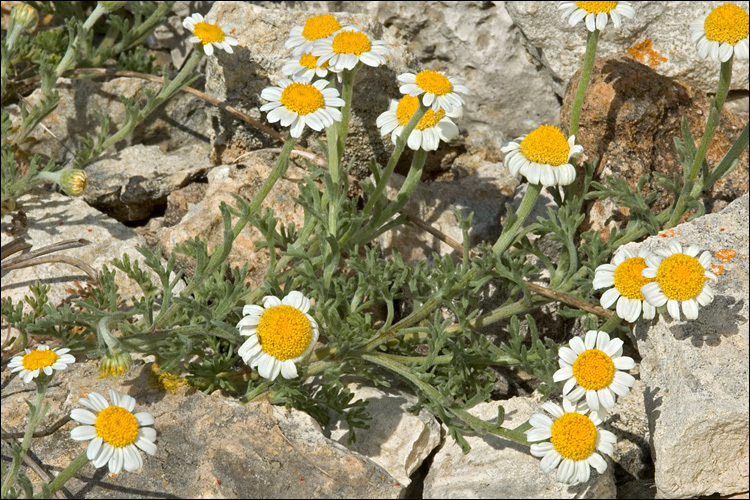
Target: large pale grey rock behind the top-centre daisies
{"points": [[473, 41]]}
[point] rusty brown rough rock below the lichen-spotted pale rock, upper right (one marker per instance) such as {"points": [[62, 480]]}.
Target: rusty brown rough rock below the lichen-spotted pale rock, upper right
{"points": [[630, 117]]}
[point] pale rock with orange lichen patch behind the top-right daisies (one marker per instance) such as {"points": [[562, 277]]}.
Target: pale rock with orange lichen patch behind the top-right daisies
{"points": [[658, 35]]}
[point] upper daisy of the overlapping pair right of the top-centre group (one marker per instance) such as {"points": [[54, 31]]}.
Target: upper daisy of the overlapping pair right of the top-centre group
{"points": [[439, 91]]}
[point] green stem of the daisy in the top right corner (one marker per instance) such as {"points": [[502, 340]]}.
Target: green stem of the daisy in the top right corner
{"points": [[725, 78]]}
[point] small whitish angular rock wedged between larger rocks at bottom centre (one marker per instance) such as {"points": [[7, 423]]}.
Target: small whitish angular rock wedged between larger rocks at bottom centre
{"points": [[397, 440]]}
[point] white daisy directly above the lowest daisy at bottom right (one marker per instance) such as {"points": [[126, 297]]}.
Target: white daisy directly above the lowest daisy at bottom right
{"points": [[592, 365]]}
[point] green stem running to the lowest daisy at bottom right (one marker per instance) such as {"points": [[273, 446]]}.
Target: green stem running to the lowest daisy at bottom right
{"points": [[430, 392]]}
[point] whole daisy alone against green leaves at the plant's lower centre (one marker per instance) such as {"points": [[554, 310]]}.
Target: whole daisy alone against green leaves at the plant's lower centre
{"points": [[281, 334]]}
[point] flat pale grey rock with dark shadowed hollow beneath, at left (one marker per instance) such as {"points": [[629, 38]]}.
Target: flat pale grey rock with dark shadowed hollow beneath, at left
{"points": [[131, 184]]}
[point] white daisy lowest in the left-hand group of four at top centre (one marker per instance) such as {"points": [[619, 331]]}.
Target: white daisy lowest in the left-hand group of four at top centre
{"points": [[298, 103]]}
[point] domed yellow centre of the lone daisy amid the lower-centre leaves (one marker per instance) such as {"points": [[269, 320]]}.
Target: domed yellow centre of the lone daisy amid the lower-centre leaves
{"points": [[284, 332]]}
